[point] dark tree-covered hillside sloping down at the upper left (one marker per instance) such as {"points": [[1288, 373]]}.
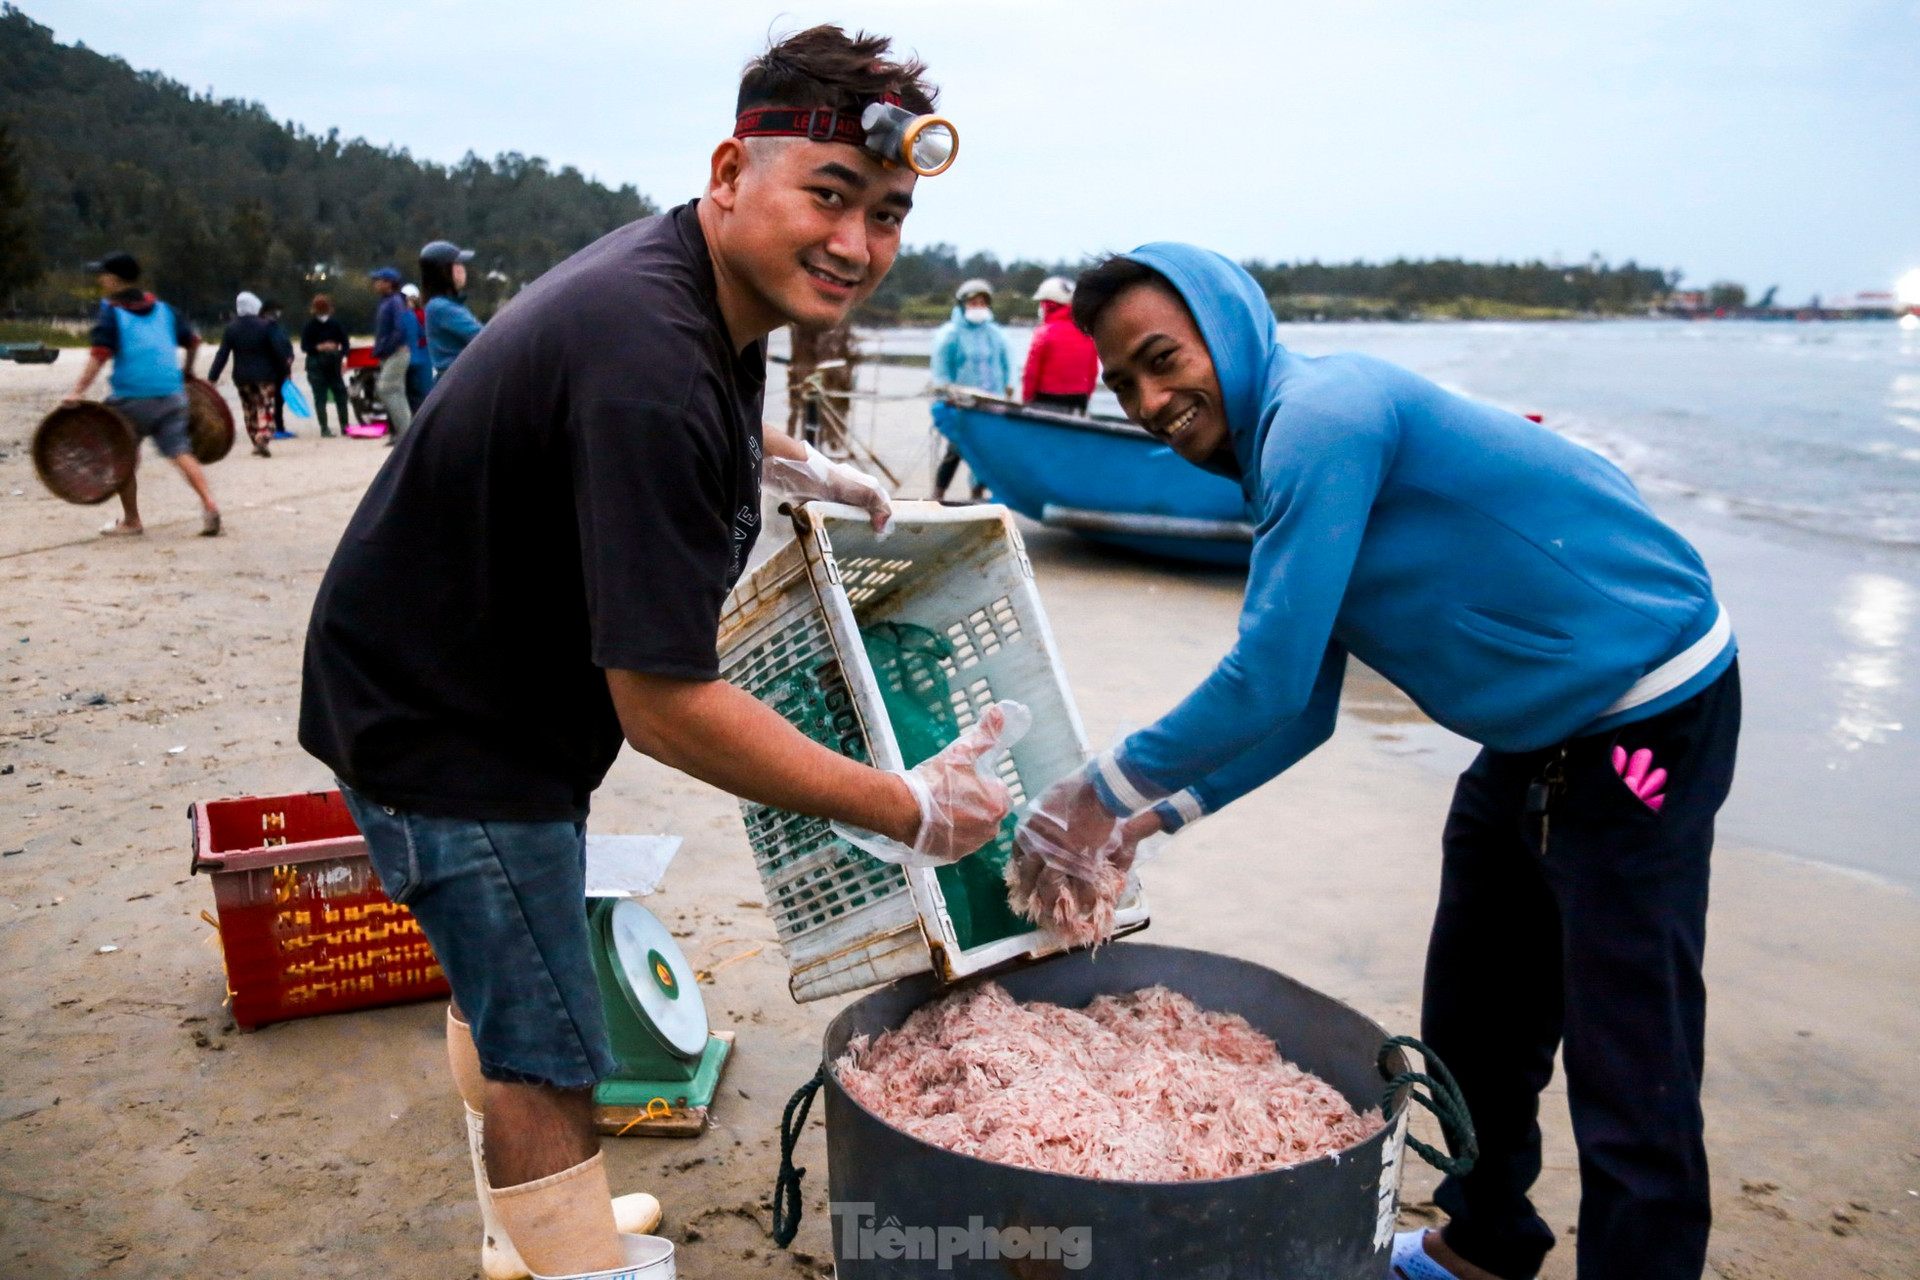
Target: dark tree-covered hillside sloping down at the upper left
{"points": [[218, 197]]}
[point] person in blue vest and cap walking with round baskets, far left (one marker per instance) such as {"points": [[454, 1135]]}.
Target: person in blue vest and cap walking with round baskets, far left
{"points": [[139, 335]]}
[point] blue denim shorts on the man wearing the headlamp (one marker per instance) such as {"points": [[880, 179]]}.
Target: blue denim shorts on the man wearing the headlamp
{"points": [[504, 905]]}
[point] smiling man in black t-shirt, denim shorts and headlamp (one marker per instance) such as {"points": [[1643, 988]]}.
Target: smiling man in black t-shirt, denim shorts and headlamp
{"points": [[537, 577]]}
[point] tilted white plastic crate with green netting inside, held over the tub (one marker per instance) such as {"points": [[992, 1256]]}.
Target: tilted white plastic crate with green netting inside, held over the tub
{"points": [[792, 636]]}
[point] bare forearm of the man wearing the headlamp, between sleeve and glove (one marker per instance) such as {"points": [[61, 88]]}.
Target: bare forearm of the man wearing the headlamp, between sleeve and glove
{"points": [[731, 740]]}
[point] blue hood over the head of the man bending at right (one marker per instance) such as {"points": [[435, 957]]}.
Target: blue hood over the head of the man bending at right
{"points": [[1237, 323]]}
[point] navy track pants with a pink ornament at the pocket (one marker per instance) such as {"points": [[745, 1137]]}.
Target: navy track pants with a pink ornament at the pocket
{"points": [[1573, 916]]}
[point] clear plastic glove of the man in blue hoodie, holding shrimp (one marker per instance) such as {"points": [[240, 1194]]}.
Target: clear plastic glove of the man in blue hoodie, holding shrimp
{"points": [[1072, 859]]}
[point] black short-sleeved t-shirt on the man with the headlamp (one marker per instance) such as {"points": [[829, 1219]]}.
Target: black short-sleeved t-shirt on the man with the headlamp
{"points": [[577, 494]]}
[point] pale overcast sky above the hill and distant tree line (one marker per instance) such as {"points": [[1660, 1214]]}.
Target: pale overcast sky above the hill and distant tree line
{"points": [[1762, 141]]}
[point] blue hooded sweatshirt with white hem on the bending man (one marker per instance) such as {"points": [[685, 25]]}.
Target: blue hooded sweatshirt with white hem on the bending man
{"points": [[1514, 584]]}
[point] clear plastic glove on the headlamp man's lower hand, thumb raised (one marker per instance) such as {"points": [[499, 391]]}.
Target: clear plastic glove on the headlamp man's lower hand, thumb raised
{"points": [[963, 799]]}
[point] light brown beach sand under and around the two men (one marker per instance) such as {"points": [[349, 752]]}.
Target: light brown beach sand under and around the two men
{"points": [[141, 1135]]}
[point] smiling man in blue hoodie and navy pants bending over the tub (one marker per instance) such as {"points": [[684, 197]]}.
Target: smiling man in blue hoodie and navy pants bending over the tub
{"points": [[1518, 588]]}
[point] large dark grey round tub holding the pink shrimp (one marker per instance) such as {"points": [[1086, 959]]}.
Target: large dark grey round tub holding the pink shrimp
{"points": [[905, 1208]]}
